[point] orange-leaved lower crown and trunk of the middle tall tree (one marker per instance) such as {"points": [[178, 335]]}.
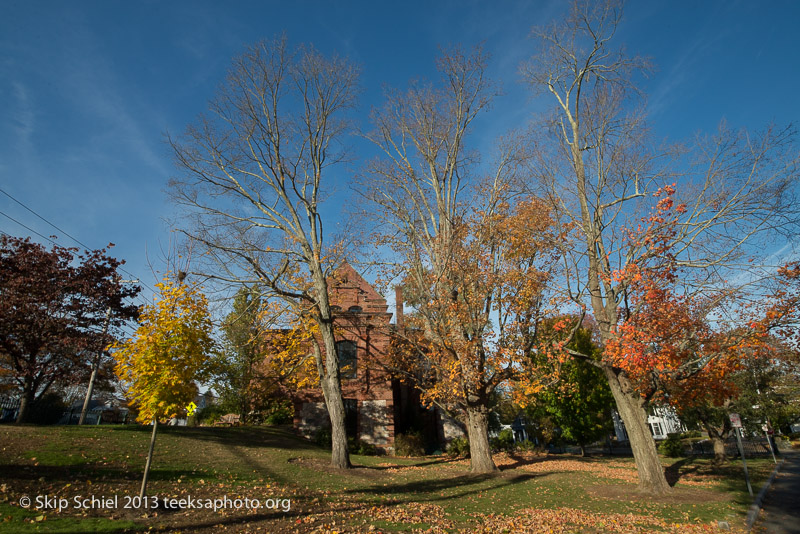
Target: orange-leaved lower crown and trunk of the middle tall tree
{"points": [[474, 326]]}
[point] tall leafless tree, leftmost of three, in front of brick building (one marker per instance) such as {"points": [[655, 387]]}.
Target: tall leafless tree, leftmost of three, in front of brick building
{"points": [[254, 174]]}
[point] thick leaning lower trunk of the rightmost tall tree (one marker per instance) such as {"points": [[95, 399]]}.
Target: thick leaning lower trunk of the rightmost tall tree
{"points": [[630, 405]]}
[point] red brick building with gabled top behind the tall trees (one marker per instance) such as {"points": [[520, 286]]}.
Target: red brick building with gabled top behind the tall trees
{"points": [[377, 405]]}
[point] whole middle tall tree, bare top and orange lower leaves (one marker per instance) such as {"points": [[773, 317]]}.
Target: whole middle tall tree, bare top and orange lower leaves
{"points": [[472, 254]]}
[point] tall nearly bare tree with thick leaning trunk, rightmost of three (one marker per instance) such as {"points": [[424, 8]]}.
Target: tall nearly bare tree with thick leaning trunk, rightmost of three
{"points": [[599, 169]]}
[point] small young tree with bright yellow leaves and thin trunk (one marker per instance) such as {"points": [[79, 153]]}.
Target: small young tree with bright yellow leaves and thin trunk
{"points": [[168, 353]]}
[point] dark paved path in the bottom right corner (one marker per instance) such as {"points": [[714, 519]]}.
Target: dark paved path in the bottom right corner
{"points": [[781, 511]]}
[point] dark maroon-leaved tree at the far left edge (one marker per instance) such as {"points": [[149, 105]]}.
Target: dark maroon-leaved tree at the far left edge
{"points": [[52, 307]]}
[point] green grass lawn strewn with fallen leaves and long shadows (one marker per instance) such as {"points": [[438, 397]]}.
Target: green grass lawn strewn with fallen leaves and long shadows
{"points": [[297, 491]]}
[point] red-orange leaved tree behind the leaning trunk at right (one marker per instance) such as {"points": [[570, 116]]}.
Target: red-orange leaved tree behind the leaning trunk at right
{"points": [[679, 348]]}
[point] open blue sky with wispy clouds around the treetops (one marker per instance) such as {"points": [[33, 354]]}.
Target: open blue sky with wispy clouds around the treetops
{"points": [[88, 89]]}
